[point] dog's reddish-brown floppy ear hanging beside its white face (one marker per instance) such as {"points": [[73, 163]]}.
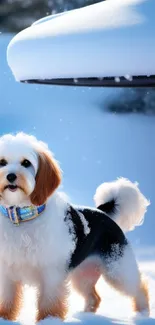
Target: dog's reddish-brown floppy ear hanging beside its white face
{"points": [[48, 179]]}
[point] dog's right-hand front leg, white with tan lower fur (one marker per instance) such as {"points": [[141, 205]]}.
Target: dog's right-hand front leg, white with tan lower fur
{"points": [[52, 298]]}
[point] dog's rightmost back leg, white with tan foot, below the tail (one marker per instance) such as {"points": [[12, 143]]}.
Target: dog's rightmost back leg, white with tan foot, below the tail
{"points": [[122, 273]]}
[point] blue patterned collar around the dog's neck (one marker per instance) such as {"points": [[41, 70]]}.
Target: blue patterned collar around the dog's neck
{"points": [[18, 215]]}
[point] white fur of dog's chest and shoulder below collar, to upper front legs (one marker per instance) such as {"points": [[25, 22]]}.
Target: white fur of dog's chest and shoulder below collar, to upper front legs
{"points": [[40, 248]]}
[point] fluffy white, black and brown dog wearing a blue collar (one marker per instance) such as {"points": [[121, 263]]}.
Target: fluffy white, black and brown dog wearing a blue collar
{"points": [[47, 242]]}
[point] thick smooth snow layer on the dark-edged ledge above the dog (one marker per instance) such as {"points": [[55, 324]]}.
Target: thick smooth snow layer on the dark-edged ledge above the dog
{"points": [[111, 38]]}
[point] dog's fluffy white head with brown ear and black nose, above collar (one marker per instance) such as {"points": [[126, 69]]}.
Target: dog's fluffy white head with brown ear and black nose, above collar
{"points": [[28, 172]]}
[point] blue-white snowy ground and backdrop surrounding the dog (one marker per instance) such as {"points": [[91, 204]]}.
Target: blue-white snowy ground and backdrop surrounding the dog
{"points": [[92, 147]]}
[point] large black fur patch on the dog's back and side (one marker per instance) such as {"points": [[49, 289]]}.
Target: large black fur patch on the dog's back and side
{"points": [[104, 235]]}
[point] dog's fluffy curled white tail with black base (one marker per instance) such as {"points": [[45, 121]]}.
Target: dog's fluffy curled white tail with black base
{"points": [[123, 202]]}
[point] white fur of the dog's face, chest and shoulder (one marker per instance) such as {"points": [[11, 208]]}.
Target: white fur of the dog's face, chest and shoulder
{"points": [[40, 247]]}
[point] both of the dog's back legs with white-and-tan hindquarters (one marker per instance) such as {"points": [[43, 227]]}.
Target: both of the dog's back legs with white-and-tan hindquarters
{"points": [[119, 271]]}
